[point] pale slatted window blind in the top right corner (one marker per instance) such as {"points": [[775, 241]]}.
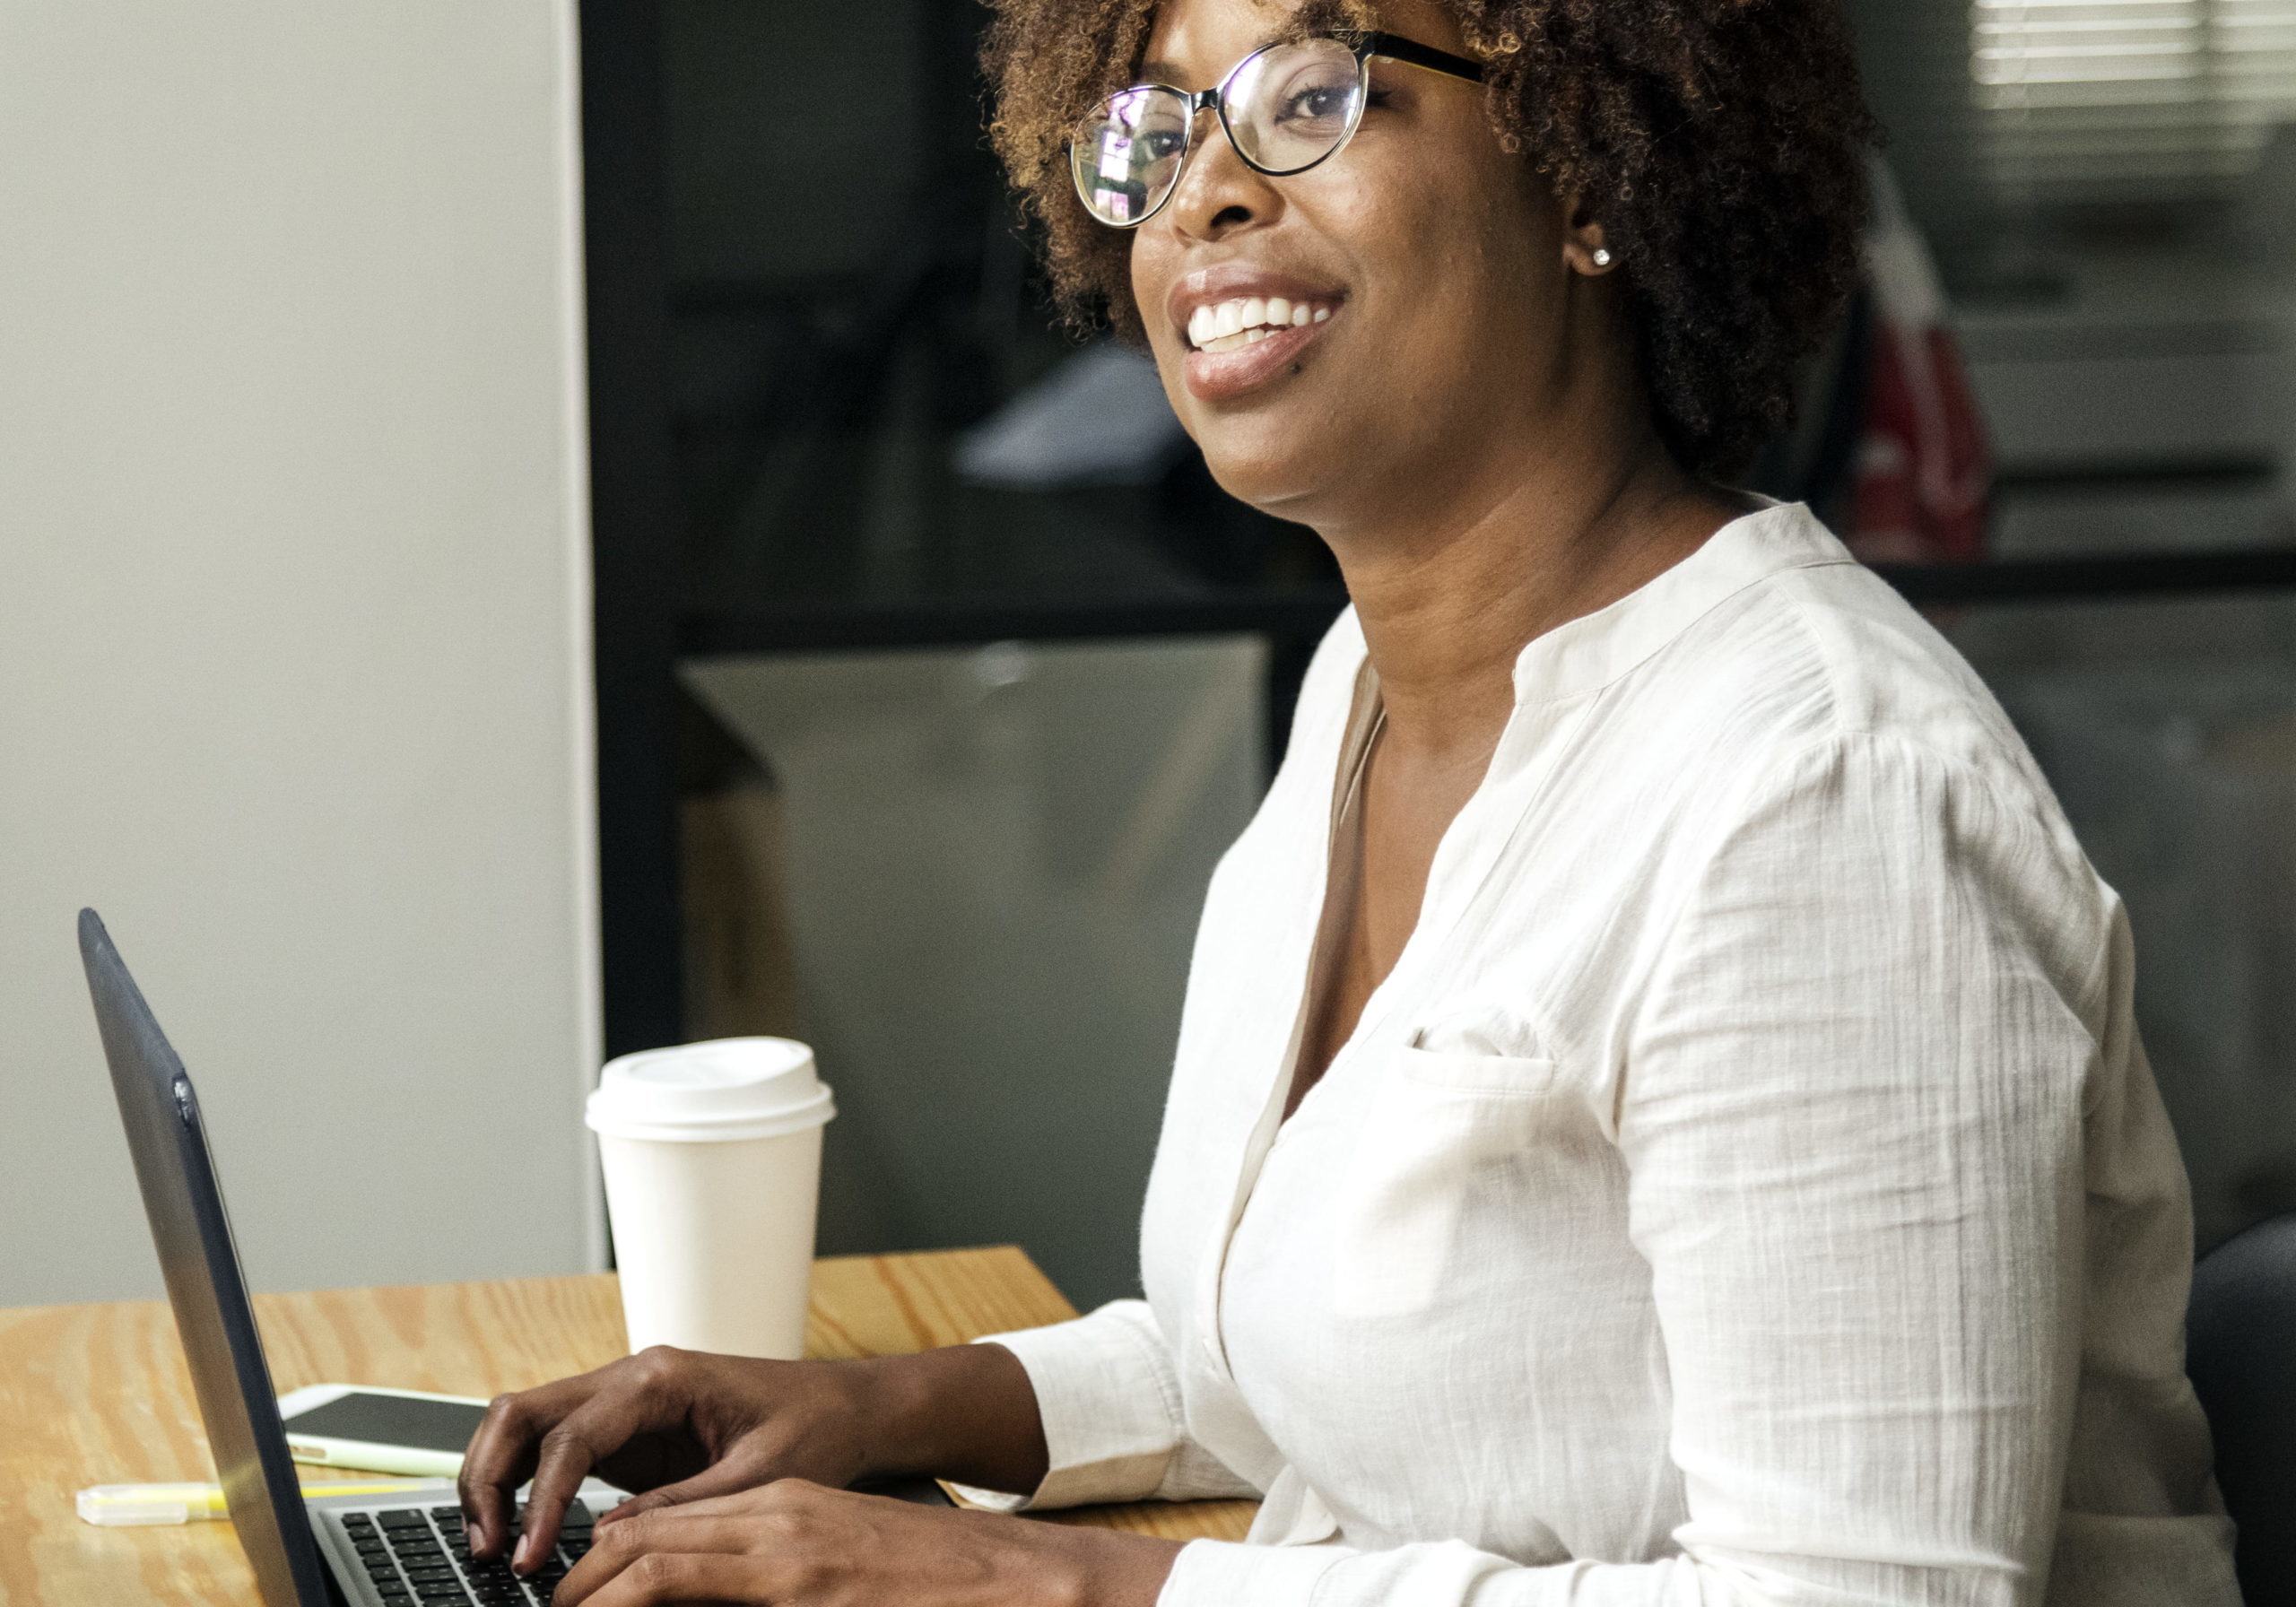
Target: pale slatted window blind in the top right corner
{"points": [[2127, 100]]}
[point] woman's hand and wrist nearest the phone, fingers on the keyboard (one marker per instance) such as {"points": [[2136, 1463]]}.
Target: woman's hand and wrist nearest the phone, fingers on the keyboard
{"points": [[681, 1427]]}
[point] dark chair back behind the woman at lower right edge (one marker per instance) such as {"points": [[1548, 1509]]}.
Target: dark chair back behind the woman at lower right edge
{"points": [[2242, 1356]]}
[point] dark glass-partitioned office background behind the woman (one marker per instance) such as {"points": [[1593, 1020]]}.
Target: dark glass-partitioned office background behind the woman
{"points": [[858, 557]]}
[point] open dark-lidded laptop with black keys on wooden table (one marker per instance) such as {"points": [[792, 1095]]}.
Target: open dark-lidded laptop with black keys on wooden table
{"points": [[375, 1551]]}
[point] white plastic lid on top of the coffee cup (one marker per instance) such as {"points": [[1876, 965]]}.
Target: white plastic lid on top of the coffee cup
{"points": [[711, 1094]]}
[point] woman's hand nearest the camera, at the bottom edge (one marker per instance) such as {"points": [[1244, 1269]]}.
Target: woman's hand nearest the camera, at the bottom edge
{"points": [[798, 1544]]}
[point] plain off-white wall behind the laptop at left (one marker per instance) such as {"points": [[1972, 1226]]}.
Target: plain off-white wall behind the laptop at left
{"points": [[295, 628]]}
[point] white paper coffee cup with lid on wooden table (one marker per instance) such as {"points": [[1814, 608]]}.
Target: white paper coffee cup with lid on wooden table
{"points": [[713, 1165]]}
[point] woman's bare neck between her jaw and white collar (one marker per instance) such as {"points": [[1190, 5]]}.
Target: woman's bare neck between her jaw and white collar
{"points": [[1450, 600]]}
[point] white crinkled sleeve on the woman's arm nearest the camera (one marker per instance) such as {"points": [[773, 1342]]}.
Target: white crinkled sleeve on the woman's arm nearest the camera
{"points": [[1849, 1101]]}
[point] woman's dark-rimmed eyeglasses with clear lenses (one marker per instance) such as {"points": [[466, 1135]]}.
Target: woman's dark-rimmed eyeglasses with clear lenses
{"points": [[1285, 109]]}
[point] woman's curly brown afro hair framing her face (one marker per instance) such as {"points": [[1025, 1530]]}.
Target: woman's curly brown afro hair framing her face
{"points": [[1721, 143]]}
